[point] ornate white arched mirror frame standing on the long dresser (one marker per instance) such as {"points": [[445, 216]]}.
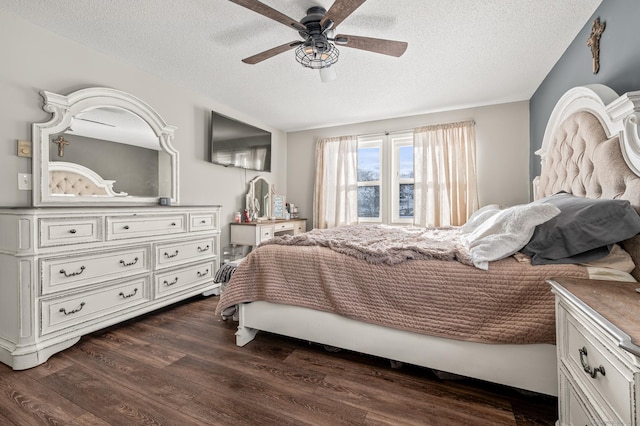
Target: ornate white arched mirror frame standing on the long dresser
{"points": [[64, 108]]}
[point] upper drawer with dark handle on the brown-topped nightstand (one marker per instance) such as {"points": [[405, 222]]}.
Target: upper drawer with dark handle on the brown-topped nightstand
{"points": [[614, 389]]}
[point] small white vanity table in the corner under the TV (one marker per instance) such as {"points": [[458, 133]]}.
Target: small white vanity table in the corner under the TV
{"points": [[253, 233]]}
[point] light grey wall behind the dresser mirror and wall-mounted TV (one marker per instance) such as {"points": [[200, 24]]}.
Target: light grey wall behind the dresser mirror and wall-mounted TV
{"points": [[35, 60]]}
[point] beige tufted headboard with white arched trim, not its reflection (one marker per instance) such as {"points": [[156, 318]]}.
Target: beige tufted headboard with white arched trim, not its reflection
{"points": [[591, 148]]}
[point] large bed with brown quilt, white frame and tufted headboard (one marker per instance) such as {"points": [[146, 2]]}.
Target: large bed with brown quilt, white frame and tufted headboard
{"points": [[590, 151]]}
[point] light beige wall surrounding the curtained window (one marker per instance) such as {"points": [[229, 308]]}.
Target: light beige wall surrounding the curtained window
{"points": [[502, 138]]}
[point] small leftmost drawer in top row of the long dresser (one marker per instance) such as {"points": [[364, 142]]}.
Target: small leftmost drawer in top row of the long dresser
{"points": [[57, 232]]}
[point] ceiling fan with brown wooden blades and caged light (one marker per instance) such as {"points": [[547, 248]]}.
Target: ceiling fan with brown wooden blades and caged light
{"points": [[317, 48]]}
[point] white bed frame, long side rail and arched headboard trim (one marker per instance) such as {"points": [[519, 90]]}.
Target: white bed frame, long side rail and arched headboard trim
{"points": [[531, 367]]}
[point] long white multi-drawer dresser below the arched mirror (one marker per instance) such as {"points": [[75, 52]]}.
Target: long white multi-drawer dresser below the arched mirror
{"points": [[66, 272]]}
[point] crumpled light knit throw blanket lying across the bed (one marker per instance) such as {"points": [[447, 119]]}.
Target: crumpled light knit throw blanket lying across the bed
{"points": [[385, 244]]}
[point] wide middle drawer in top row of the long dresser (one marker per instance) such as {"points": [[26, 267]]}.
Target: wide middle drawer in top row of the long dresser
{"points": [[122, 227]]}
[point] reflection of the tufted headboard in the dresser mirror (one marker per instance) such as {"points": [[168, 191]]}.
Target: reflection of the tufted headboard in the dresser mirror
{"points": [[72, 179]]}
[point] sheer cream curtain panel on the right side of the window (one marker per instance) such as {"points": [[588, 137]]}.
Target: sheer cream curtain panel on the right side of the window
{"points": [[445, 190]]}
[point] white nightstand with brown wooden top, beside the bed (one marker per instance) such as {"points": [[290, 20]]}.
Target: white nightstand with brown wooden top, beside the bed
{"points": [[598, 331]]}
